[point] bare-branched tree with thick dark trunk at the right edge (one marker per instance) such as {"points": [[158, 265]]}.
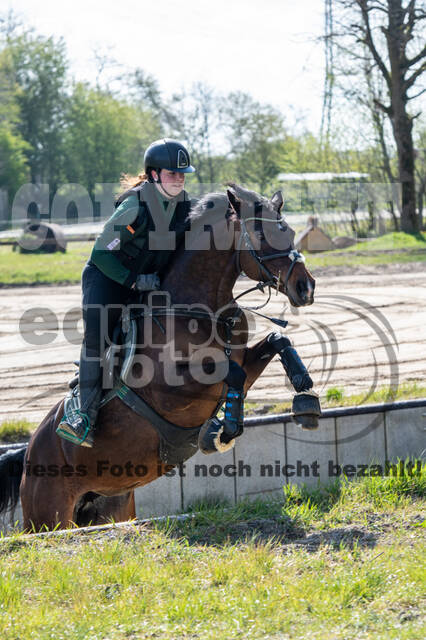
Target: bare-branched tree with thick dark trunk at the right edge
{"points": [[390, 30]]}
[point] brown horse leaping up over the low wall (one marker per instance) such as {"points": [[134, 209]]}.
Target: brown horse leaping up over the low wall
{"points": [[229, 233]]}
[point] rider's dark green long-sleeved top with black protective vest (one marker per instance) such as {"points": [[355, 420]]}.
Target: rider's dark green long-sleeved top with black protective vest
{"points": [[125, 249]]}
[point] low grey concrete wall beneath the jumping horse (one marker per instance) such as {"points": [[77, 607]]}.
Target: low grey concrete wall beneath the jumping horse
{"points": [[273, 451]]}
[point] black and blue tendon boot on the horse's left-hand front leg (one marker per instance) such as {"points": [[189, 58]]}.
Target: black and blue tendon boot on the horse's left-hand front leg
{"points": [[233, 421]]}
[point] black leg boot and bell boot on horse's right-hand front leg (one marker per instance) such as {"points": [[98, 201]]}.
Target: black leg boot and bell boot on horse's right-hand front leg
{"points": [[306, 404]]}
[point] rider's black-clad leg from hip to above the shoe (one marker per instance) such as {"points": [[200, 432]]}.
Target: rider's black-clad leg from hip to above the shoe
{"points": [[102, 302]]}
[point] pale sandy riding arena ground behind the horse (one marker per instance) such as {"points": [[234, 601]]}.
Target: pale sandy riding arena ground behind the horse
{"points": [[363, 331]]}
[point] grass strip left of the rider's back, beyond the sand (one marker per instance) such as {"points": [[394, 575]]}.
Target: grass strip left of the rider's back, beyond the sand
{"points": [[56, 268]]}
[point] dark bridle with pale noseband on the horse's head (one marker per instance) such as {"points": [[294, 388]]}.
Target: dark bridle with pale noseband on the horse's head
{"points": [[272, 280]]}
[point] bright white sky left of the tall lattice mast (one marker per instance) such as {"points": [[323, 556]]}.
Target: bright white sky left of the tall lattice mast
{"points": [[268, 48]]}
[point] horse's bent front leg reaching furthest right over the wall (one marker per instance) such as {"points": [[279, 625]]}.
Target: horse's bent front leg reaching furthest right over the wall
{"points": [[306, 405]]}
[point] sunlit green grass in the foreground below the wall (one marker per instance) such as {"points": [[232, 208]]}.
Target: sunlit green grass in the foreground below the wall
{"points": [[348, 565]]}
